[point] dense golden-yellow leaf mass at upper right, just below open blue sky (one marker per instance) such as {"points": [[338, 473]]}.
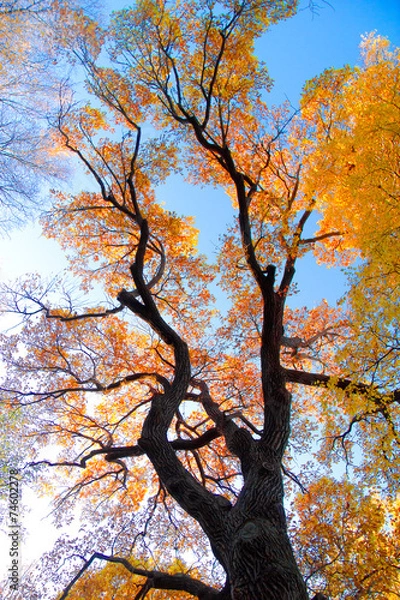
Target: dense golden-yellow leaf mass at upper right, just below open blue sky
{"points": [[353, 168]]}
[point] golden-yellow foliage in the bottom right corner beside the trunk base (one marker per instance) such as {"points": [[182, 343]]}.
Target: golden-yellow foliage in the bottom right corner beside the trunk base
{"points": [[347, 541]]}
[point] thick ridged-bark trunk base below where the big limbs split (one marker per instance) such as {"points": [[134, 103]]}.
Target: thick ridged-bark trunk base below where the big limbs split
{"points": [[259, 559]]}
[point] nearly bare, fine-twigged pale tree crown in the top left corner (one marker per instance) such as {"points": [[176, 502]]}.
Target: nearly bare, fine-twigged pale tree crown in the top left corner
{"points": [[31, 83]]}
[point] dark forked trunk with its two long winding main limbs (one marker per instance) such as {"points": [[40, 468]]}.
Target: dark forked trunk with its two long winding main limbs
{"points": [[248, 538]]}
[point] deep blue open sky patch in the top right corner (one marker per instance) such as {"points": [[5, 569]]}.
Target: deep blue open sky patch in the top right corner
{"points": [[300, 48]]}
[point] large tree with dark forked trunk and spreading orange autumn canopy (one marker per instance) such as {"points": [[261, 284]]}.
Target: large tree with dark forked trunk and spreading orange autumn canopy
{"points": [[174, 430]]}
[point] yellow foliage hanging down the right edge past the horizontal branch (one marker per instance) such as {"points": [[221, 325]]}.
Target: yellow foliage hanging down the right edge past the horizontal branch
{"points": [[352, 168]]}
